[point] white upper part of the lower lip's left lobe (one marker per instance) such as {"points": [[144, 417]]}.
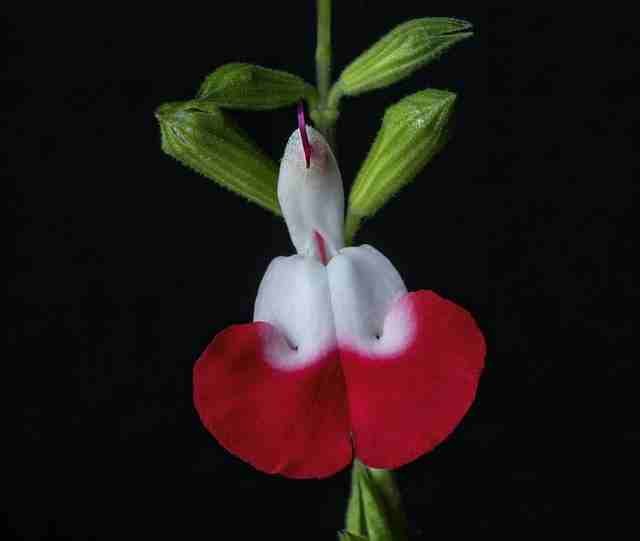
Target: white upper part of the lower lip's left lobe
{"points": [[294, 297]]}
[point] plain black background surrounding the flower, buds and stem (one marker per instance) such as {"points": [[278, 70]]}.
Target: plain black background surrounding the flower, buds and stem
{"points": [[126, 264]]}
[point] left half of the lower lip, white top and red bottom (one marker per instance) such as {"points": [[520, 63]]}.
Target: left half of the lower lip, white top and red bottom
{"points": [[272, 392]]}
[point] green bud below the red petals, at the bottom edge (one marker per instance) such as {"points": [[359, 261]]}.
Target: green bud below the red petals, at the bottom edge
{"points": [[374, 510]]}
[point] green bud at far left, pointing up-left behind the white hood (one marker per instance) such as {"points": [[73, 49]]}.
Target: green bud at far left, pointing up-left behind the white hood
{"points": [[205, 139]]}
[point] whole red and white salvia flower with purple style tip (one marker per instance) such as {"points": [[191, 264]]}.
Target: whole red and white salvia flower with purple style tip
{"points": [[341, 361]]}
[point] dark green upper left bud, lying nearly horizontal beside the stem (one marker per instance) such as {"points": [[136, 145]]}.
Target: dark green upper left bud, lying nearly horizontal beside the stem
{"points": [[245, 86]]}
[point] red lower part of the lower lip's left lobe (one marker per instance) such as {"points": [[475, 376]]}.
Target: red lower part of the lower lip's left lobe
{"points": [[292, 422]]}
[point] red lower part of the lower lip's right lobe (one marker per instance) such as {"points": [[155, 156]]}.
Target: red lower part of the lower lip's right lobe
{"points": [[403, 405]]}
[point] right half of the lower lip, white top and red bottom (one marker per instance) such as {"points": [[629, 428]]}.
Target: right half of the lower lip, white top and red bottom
{"points": [[409, 388]]}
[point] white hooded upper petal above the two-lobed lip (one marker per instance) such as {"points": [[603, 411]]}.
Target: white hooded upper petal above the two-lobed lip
{"points": [[311, 199]]}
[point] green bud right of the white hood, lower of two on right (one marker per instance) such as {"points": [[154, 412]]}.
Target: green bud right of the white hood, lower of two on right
{"points": [[413, 131]]}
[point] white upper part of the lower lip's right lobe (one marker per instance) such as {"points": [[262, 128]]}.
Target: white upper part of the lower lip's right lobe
{"points": [[364, 286]]}
